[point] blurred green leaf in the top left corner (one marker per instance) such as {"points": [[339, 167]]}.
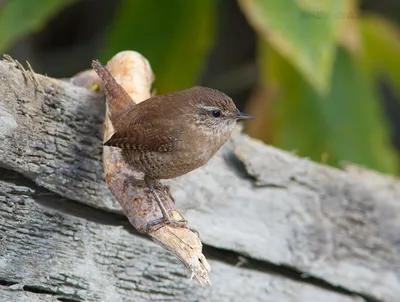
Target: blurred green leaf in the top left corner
{"points": [[21, 17]]}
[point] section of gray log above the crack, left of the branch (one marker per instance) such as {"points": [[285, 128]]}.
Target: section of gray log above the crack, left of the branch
{"points": [[54, 138]]}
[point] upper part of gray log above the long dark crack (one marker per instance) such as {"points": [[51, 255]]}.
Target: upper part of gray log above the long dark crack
{"points": [[339, 226]]}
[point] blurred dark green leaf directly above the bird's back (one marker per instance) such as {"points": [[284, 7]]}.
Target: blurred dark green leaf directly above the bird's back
{"points": [[175, 36]]}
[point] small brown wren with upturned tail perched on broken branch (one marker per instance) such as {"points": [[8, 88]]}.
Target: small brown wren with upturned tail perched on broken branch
{"points": [[169, 135]]}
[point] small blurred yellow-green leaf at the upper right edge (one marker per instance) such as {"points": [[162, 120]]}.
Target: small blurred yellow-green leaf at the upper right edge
{"points": [[381, 41]]}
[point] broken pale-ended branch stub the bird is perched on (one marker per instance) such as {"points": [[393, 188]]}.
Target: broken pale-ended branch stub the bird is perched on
{"points": [[134, 74]]}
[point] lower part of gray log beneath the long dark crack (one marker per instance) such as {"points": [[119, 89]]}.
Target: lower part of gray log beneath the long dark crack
{"points": [[100, 258]]}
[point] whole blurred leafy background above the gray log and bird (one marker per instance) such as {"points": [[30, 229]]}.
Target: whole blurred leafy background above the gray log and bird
{"points": [[322, 76]]}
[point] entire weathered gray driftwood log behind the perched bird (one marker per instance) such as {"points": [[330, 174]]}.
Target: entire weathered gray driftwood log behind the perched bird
{"points": [[275, 227]]}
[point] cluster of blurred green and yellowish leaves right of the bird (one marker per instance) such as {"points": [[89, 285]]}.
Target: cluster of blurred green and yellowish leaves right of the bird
{"points": [[300, 42]]}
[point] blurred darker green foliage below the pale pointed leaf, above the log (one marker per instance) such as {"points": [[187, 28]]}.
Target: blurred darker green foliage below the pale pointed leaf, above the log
{"points": [[346, 124]]}
